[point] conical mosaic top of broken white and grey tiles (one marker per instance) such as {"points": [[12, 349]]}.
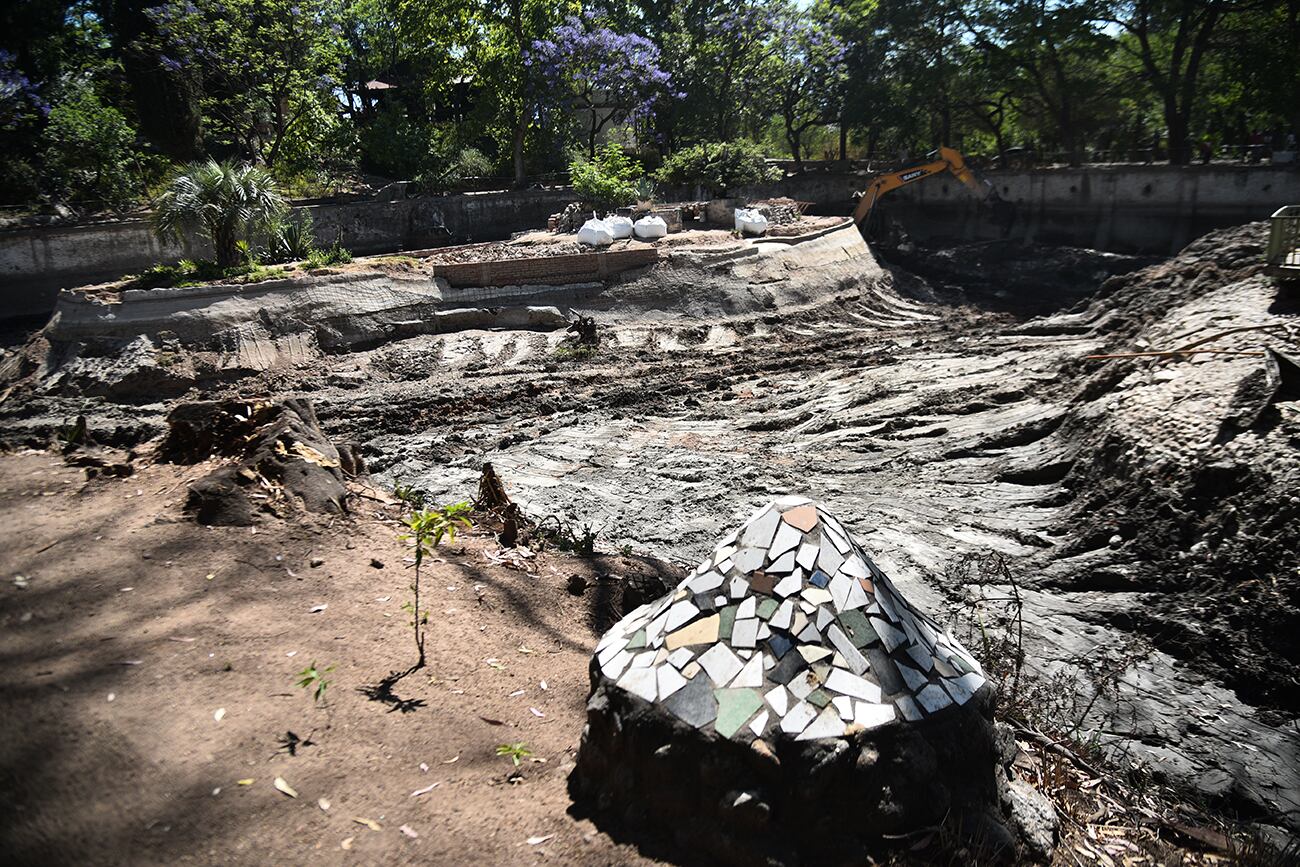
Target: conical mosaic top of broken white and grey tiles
{"points": [[788, 630]]}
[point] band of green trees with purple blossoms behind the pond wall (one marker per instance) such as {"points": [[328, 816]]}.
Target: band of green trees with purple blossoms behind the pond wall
{"points": [[101, 101]]}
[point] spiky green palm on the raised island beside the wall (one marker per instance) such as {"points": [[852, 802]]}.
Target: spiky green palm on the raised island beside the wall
{"points": [[227, 202]]}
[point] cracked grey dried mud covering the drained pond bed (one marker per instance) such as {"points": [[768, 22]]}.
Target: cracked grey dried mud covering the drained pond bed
{"points": [[1149, 506]]}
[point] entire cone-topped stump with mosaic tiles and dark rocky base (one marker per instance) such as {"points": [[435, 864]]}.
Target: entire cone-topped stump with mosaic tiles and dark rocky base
{"points": [[786, 703]]}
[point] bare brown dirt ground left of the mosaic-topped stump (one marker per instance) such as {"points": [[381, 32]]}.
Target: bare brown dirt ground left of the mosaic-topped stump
{"points": [[135, 630]]}
